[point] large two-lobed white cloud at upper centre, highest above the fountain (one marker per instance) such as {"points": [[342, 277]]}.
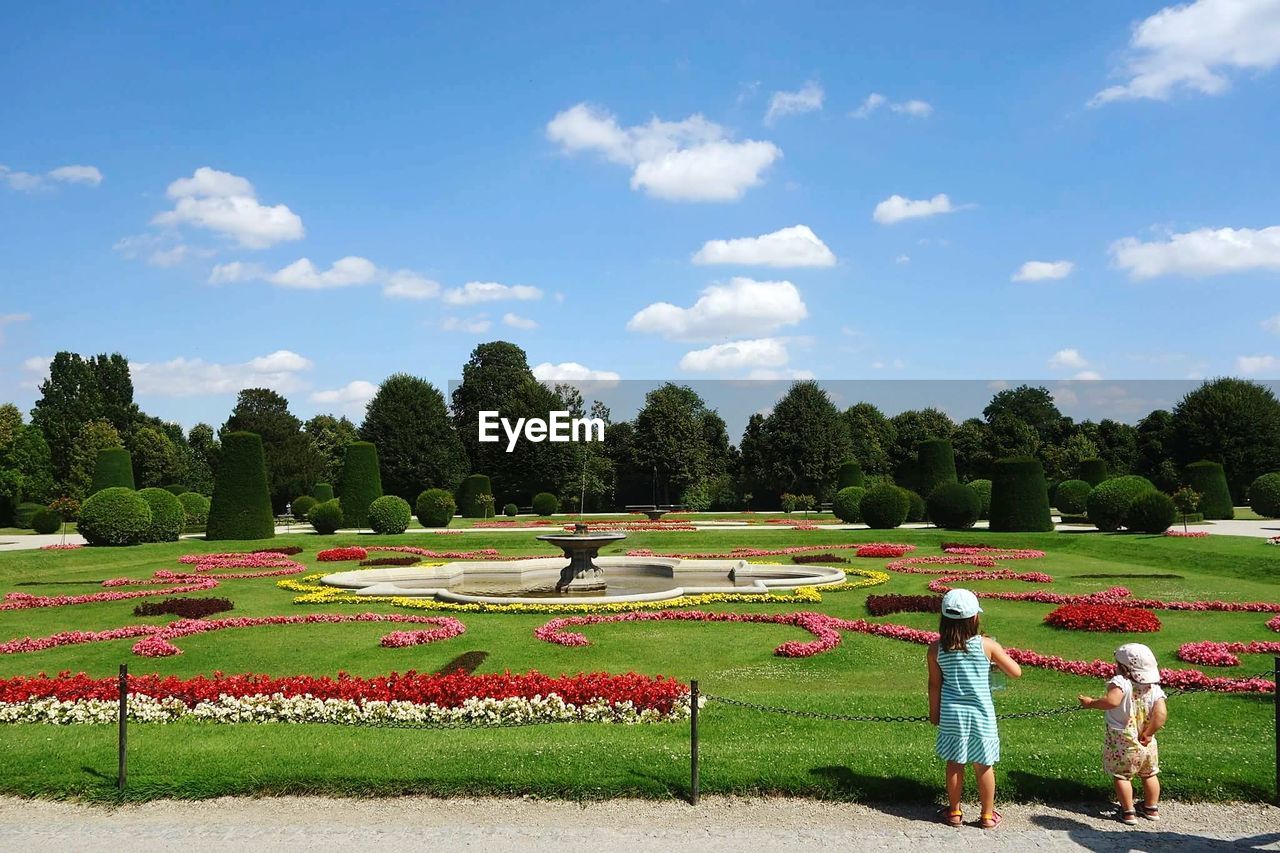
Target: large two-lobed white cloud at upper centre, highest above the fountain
{"points": [[688, 161]]}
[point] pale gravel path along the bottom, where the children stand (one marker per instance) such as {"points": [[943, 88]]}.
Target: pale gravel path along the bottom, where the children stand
{"points": [[638, 827]]}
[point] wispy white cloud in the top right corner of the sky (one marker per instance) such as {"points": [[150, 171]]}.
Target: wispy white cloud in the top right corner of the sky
{"points": [[1195, 47]]}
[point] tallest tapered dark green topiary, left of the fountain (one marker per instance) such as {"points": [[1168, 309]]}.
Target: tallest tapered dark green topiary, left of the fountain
{"points": [[241, 508]]}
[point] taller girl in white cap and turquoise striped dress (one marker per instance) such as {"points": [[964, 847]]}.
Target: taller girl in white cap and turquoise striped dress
{"points": [[961, 704]]}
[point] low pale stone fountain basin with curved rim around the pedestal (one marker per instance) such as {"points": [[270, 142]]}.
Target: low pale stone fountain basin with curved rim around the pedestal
{"points": [[669, 577]]}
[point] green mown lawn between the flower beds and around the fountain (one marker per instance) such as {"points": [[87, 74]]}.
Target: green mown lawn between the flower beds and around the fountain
{"points": [[1217, 747]]}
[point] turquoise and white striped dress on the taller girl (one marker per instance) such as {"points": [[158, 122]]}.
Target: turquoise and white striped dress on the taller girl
{"points": [[967, 728]]}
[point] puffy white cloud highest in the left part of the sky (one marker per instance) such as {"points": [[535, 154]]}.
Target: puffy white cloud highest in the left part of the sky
{"points": [[227, 204]]}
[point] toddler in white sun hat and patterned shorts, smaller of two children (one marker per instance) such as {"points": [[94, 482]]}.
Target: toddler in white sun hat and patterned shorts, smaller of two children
{"points": [[1136, 711]]}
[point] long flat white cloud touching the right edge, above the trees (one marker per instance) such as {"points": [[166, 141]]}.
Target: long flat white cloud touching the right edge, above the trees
{"points": [[1206, 252]]}
